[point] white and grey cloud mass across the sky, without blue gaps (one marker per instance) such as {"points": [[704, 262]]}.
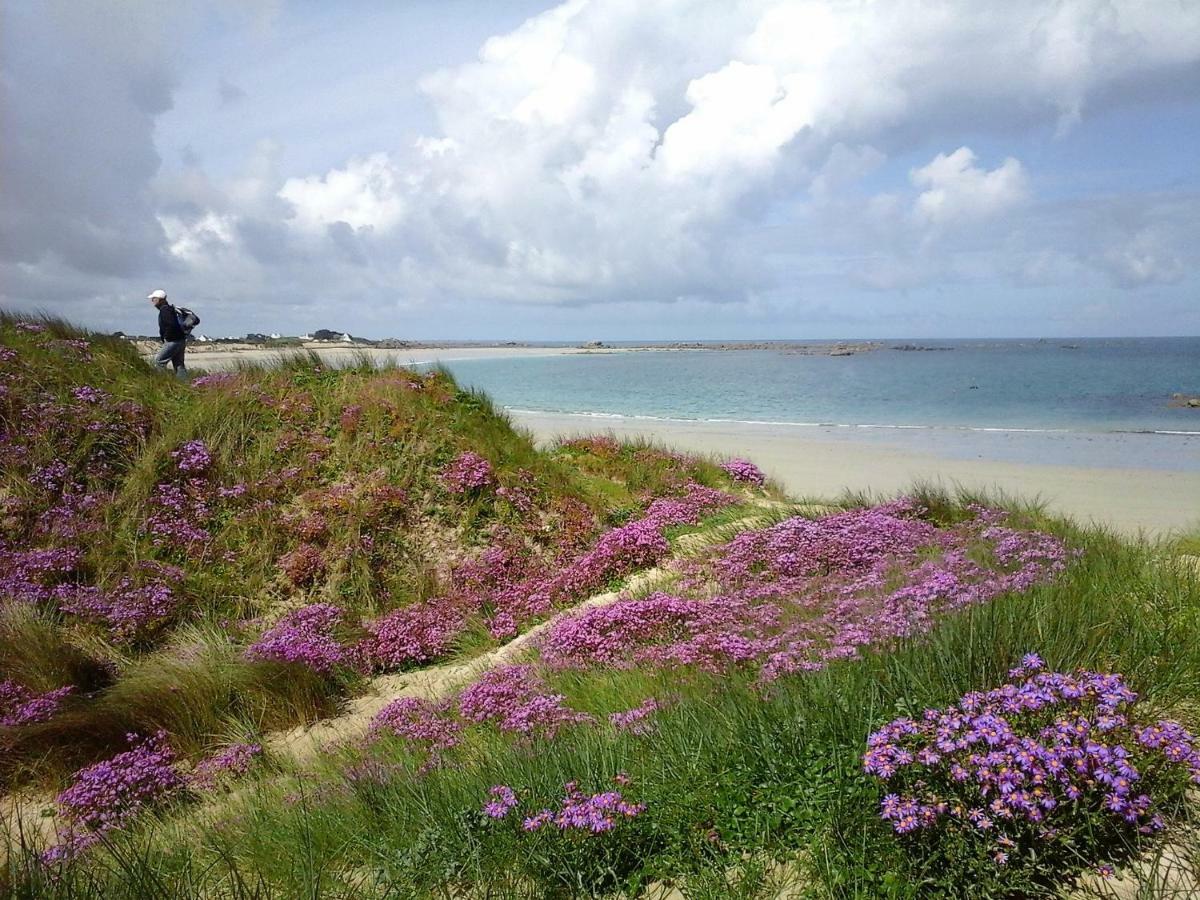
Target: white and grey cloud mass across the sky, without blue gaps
{"points": [[607, 152]]}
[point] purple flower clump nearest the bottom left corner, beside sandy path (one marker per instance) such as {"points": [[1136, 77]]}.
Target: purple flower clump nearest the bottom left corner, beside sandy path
{"points": [[109, 795]]}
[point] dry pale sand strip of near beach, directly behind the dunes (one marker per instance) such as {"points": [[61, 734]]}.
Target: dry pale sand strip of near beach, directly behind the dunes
{"points": [[1127, 500]]}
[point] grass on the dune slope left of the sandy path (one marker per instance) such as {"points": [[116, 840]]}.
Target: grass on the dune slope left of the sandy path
{"points": [[188, 675]]}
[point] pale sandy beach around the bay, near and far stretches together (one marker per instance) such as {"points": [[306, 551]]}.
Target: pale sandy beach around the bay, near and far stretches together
{"points": [[1085, 476]]}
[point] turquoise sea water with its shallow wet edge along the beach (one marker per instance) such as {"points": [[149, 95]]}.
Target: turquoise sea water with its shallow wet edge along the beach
{"points": [[1075, 393]]}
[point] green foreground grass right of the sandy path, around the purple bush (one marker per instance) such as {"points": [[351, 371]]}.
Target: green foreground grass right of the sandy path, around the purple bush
{"points": [[734, 779]]}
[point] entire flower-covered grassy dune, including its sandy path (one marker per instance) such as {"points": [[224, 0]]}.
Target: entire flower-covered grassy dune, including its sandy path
{"points": [[303, 632]]}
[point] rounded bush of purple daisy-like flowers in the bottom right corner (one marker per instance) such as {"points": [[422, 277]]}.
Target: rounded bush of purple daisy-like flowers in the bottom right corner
{"points": [[1035, 767]]}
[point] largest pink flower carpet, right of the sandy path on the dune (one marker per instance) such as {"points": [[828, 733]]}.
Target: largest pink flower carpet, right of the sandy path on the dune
{"points": [[803, 593]]}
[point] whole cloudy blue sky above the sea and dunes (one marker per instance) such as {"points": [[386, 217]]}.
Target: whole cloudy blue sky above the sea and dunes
{"points": [[605, 170]]}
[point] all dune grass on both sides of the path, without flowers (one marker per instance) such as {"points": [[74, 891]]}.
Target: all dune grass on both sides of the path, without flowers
{"points": [[746, 788]]}
